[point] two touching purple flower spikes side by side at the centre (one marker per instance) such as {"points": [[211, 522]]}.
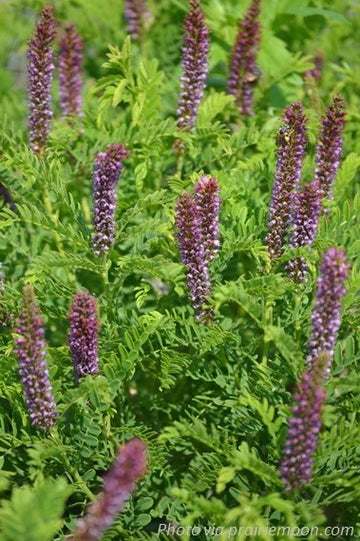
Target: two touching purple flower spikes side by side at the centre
{"points": [[197, 222]]}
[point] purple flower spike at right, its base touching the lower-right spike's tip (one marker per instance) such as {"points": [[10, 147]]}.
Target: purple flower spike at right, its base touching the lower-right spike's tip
{"points": [[325, 319]]}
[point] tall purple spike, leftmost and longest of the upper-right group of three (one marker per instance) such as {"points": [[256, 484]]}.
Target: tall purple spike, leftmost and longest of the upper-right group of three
{"points": [[291, 152]]}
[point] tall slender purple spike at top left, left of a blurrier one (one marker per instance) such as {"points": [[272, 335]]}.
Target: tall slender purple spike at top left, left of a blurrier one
{"points": [[40, 71]]}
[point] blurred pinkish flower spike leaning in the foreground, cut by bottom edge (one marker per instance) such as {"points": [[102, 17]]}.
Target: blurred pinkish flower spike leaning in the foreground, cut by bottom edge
{"points": [[129, 466]]}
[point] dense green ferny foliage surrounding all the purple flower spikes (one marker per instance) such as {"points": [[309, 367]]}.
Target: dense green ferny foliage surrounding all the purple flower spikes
{"points": [[212, 403]]}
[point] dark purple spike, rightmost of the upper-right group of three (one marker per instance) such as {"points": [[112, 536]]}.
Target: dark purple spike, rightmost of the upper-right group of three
{"points": [[329, 147]]}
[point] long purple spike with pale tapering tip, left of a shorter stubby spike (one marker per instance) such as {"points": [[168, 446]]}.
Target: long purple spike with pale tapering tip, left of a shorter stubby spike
{"points": [[34, 374]]}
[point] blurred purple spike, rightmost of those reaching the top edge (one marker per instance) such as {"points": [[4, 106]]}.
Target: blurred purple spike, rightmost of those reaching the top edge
{"points": [[244, 72]]}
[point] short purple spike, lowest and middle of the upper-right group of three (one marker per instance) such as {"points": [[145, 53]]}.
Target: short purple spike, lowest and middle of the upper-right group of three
{"points": [[304, 227]]}
